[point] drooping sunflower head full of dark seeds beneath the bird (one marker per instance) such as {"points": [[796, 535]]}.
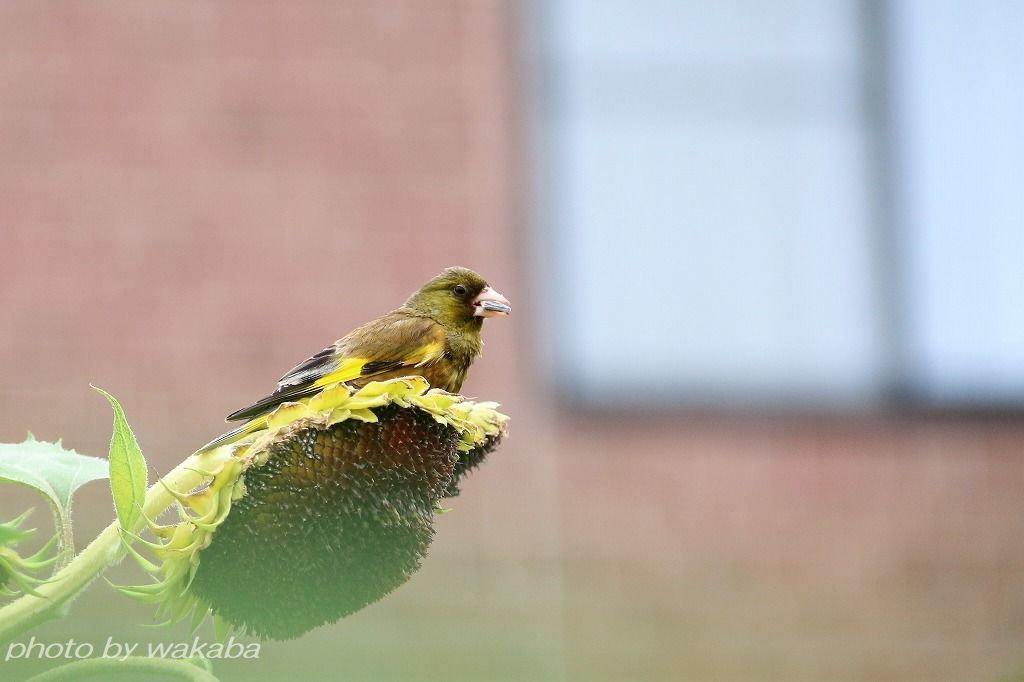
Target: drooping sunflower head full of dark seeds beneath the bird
{"points": [[328, 510]]}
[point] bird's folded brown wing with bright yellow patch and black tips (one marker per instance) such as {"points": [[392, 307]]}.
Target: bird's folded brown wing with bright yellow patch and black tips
{"points": [[389, 344]]}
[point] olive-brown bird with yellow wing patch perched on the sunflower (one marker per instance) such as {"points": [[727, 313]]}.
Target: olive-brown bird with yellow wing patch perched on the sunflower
{"points": [[436, 335]]}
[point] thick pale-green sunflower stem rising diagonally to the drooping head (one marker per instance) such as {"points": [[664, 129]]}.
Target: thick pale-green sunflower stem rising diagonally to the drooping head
{"points": [[54, 596]]}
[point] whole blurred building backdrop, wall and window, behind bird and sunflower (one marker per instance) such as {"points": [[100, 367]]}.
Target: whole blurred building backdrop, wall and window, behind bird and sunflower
{"points": [[766, 365]]}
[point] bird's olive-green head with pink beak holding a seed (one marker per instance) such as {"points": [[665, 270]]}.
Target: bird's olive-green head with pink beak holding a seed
{"points": [[459, 297]]}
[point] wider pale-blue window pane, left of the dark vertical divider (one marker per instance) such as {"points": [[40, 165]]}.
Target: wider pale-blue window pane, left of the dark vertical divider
{"points": [[709, 191]]}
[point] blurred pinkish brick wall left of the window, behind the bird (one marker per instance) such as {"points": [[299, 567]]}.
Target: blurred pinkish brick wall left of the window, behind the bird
{"points": [[195, 196]]}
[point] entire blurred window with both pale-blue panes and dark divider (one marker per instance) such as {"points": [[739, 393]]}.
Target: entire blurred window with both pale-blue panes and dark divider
{"points": [[724, 220]]}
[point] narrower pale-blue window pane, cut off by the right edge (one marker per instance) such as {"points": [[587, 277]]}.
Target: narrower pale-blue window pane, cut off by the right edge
{"points": [[959, 72]]}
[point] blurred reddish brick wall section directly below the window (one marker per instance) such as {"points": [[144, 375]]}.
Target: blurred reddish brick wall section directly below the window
{"points": [[812, 549]]}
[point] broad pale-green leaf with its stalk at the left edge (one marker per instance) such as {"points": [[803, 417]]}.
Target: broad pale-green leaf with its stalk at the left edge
{"points": [[56, 474]]}
